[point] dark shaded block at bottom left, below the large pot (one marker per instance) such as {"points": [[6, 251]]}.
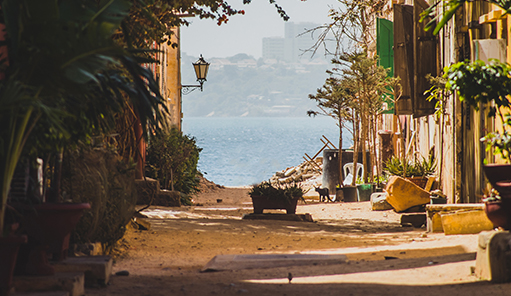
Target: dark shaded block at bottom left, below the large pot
{"points": [[73, 283]]}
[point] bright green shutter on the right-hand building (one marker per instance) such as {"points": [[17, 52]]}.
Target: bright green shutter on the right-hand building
{"points": [[384, 44]]}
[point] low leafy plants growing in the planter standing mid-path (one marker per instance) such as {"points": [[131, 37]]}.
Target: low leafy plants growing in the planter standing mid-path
{"points": [[277, 191]]}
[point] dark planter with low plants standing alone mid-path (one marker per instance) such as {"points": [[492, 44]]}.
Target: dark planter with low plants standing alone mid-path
{"points": [[267, 195]]}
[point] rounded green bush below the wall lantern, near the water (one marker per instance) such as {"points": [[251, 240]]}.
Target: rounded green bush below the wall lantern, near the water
{"points": [[172, 159]]}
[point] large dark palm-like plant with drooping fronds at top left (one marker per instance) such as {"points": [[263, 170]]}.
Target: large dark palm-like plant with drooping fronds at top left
{"points": [[60, 54]]}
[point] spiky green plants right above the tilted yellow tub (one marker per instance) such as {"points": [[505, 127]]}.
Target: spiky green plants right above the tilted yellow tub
{"points": [[418, 168]]}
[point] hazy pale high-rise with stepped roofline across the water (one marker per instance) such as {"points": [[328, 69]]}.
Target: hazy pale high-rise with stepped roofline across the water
{"points": [[291, 47]]}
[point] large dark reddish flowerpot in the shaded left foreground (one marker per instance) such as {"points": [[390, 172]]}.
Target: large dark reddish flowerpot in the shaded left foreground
{"points": [[48, 227]]}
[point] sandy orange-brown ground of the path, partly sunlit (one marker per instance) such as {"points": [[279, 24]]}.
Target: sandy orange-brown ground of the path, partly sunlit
{"points": [[167, 258]]}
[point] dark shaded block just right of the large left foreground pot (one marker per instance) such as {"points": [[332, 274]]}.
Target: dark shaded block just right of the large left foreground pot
{"points": [[97, 269]]}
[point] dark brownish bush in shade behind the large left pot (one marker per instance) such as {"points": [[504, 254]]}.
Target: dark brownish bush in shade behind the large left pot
{"points": [[103, 179]]}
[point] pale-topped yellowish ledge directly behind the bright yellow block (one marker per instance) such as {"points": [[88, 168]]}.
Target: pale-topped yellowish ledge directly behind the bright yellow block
{"points": [[434, 213]]}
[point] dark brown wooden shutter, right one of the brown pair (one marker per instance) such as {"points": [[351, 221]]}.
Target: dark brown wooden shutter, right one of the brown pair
{"points": [[425, 61]]}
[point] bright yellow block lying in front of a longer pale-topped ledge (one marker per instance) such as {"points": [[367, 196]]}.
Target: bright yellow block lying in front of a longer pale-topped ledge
{"points": [[465, 222]]}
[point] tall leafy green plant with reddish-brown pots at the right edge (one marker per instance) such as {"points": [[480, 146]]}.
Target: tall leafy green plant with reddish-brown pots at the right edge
{"points": [[489, 84]]}
